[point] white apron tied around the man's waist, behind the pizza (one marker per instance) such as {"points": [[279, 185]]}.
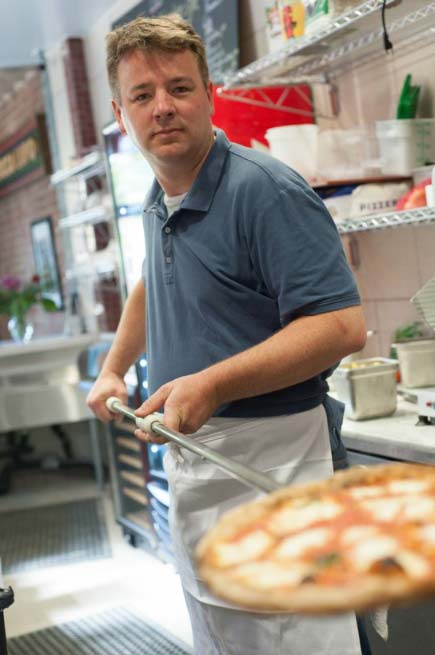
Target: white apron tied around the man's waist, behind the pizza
{"points": [[290, 449]]}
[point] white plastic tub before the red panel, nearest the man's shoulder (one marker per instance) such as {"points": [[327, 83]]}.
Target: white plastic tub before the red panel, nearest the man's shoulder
{"points": [[296, 146]]}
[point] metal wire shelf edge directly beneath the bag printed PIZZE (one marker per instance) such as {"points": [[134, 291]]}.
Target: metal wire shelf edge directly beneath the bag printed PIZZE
{"points": [[423, 215]]}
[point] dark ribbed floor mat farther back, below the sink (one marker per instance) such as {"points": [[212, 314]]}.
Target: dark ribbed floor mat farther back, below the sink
{"points": [[53, 536]]}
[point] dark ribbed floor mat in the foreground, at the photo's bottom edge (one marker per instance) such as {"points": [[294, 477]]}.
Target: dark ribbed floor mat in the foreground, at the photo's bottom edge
{"points": [[113, 632]]}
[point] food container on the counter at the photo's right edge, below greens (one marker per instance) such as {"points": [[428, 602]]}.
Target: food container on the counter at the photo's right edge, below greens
{"points": [[417, 362]]}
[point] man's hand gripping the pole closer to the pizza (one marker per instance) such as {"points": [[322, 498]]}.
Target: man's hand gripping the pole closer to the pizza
{"points": [[188, 403]]}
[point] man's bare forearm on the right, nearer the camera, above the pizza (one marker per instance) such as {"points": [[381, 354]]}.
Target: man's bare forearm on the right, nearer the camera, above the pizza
{"points": [[301, 350]]}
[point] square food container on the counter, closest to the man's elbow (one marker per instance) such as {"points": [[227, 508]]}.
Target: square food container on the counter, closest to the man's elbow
{"points": [[367, 387]]}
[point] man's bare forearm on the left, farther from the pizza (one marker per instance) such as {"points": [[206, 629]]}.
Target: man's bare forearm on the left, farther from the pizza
{"points": [[129, 340]]}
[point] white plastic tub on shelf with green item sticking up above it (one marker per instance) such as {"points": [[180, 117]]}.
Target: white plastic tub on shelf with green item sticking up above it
{"points": [[405, 144]]}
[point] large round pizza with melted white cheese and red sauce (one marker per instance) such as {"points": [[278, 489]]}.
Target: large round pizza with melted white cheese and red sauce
{"points": [[363, 538]]}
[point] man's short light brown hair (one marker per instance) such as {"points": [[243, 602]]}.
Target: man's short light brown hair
{"points": [[169, 33]]}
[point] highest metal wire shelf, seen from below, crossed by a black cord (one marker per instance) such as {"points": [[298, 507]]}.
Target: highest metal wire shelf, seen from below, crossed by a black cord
{"points": [[350, 39]]}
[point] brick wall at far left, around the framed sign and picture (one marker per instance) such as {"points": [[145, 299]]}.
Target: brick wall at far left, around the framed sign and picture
{"points": [[31, 202]]}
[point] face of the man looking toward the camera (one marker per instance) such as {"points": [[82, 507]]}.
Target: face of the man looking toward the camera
{"points": [[164, 106]]}
